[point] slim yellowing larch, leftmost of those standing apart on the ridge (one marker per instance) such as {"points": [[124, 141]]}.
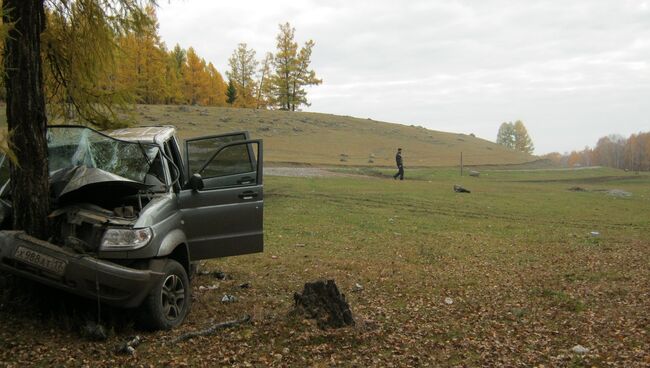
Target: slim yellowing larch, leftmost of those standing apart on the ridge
{"points": [[243, 66]]}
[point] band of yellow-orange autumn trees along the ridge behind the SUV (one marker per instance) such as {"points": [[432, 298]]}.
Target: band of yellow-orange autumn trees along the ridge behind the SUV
{"points": [[91, 71]]}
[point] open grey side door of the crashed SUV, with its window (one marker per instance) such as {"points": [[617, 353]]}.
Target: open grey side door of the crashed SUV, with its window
{"points": [[223, 213]]}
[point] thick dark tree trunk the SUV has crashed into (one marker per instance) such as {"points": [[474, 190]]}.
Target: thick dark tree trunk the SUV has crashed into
{"points": [[26, 117]]}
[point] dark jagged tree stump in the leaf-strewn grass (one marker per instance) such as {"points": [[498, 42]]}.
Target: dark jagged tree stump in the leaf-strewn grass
{"points": [[323, 302]]}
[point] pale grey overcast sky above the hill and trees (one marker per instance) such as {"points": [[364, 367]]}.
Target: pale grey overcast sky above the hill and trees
{"points": [[572, 71]]}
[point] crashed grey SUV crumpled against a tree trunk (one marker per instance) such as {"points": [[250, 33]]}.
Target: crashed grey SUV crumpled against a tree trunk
{"points": [[132, 213]]}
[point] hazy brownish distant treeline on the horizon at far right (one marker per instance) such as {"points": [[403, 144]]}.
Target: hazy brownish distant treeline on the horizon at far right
{"points": [[614, 151]]}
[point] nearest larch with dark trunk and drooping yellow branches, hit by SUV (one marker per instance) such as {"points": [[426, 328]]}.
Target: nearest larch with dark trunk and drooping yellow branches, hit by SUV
{"points": [[87, 23]]}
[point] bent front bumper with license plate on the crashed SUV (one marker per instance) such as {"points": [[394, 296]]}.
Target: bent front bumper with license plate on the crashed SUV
{"points": [[79, 274]]}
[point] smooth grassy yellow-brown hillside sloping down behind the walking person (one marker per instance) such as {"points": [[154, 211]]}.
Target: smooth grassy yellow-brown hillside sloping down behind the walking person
{"points": [[324, 139]]}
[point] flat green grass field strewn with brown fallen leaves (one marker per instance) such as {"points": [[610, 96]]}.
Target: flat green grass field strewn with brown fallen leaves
{"points": [[527, 279]]}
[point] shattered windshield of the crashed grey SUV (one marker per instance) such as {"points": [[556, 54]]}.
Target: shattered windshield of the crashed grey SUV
{"points": [[70, 146]]}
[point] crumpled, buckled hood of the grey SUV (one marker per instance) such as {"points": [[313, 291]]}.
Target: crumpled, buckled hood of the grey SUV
{"points": [[78, 180]]}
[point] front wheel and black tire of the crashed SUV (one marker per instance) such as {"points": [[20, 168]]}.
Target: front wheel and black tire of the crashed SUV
{"points": [[169, 300]]}
